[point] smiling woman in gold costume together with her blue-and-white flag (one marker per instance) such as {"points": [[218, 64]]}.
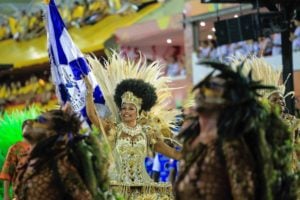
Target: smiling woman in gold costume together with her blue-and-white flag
{"points": [[148, 101]]}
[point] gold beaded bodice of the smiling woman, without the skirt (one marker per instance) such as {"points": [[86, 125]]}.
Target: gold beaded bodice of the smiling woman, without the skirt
{"points": [[130, 150]]}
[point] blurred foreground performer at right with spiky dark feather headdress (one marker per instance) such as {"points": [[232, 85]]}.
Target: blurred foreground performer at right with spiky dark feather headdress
{"points": [[226, 153]]}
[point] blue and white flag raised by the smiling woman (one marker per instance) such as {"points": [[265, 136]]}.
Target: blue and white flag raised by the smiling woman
{"points": [[68, 64]]}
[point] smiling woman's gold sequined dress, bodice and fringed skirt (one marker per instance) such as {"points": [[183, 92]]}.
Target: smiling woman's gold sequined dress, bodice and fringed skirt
{"points": [[128, 174]]}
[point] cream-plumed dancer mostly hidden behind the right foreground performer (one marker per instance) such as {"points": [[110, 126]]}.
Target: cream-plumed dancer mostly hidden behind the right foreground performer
{"points": [[268, 75]]}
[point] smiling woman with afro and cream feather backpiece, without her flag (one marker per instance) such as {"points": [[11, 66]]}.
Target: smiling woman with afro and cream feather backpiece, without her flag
{"points": [[133, 131]]}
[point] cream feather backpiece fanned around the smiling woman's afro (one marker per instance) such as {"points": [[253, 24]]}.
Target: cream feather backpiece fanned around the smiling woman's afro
{"points": [[118, 69]]}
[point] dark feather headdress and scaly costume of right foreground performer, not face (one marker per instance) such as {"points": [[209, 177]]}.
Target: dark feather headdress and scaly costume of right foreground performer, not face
{"points": [[252, 150]]}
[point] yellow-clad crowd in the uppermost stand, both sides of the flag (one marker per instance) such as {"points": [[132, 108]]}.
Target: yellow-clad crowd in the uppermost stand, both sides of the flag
{"points": [[24, 24]]}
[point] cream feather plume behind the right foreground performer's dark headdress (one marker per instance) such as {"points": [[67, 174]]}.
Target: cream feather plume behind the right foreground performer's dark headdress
{"points": [[261, 71]]}
